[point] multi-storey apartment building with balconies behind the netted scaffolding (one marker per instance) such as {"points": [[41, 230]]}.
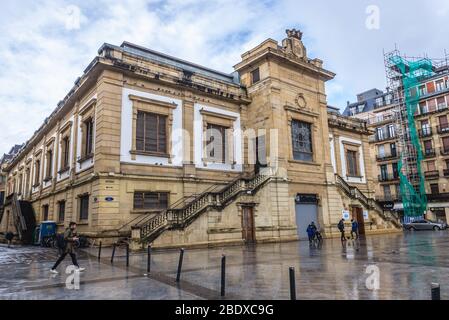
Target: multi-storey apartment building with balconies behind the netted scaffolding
{"points": [[431, 119]]}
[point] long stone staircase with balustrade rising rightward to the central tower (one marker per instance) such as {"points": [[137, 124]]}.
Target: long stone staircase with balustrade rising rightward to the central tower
{"points": [[149, 229]]}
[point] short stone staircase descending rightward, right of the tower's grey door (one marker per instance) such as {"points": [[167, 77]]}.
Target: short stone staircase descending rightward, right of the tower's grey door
{"points": [[368, 203]]}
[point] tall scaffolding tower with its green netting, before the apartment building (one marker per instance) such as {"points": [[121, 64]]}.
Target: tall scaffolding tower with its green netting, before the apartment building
{"points": [[403, 77]]}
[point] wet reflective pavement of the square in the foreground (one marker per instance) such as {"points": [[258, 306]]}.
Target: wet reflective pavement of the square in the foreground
{"points": [[407, 263]]}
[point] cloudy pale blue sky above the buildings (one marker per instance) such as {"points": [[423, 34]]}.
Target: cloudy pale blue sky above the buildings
{"points": [[45, 45]]}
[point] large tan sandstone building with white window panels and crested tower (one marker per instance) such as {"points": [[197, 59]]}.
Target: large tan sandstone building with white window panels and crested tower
{"points": [[161, 150]]}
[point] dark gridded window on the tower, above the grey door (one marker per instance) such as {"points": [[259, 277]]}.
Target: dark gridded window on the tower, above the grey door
{"points": [[302, 141]]}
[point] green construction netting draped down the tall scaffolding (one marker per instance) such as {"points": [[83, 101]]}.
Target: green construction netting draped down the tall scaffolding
{"points": [[414, 199]]}
